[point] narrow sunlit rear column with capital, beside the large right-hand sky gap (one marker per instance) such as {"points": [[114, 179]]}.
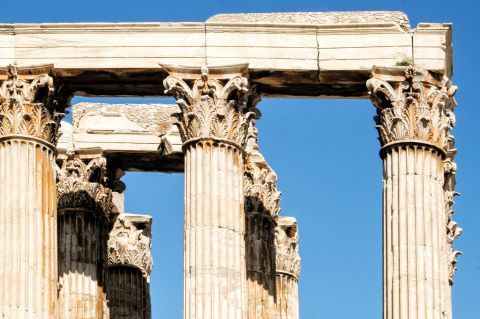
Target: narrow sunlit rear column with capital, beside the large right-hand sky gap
{"points": [[287, 264]]}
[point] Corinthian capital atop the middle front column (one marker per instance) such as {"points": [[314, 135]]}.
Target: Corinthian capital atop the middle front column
{"points": [[214, 103]]}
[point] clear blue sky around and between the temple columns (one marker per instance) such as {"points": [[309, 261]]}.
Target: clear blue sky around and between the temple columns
{"points": [[325, 153]]}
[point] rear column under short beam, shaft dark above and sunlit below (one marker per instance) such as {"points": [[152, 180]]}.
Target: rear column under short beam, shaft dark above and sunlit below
{"points": [[84, 206]]}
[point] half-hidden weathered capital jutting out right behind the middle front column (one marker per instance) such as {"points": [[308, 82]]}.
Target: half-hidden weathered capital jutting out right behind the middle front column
{"points": [[261, 181]]}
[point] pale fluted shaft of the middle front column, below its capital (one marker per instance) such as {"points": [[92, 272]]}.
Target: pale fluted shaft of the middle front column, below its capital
{"points": [[214, 231]]}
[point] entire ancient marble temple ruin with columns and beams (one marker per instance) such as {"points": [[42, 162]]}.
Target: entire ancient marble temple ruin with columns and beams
{"points": [[71, 251]]}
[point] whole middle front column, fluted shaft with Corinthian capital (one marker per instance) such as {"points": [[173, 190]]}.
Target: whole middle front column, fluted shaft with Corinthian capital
{"points": [[214, 121]]}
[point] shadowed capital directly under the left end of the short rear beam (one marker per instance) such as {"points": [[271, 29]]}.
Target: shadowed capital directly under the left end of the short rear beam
{"points": [[81, 185]]}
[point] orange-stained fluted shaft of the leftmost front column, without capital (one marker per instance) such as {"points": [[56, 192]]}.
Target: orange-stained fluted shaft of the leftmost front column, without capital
{"points": [[28, 228]]}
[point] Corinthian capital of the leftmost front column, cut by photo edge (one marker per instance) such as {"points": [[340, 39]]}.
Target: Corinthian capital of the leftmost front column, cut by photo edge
{"points": [[31, 103]]}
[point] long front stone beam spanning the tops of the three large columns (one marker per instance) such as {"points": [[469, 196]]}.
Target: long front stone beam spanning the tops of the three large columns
{"points": [[320, 54]]}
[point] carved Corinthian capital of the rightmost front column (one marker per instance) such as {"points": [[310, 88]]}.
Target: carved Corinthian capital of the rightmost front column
{"points": [[412, 106]]}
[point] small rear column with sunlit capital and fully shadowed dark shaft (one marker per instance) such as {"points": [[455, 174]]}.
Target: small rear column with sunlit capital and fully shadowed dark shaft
{"points": [[129, 266]]}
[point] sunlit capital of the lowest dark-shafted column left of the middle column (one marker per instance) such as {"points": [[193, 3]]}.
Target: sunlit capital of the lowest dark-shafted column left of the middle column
{"points": [[130, 243]]}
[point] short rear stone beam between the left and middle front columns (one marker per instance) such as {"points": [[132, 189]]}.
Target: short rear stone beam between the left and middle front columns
{"points": [[133, 137]]}
